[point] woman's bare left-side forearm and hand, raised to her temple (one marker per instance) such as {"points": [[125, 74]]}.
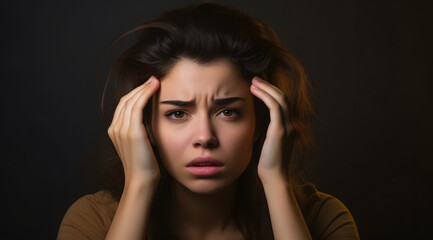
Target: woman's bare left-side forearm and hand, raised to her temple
{"points": [[142, 173]]}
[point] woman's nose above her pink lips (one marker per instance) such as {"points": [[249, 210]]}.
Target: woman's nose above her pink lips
{"points": [[204, 134]]}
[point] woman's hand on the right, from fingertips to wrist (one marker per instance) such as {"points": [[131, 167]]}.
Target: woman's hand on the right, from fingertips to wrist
{"points": [[279, 129]]}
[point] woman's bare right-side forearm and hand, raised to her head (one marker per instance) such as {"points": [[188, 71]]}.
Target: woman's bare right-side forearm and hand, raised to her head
{"points": [[286, 217]]}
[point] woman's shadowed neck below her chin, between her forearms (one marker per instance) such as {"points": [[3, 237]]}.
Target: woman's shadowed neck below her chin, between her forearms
{"points": [[202, 213]]}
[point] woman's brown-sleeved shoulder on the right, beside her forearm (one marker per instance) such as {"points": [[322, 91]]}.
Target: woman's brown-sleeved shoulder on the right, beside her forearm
{"points": [[326, 216]]}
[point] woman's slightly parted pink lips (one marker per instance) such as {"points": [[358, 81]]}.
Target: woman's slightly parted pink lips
{"points": [[204, 166]]}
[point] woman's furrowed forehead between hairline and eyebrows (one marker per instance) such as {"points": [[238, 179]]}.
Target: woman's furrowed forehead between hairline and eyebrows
{"points": [[188, 79]]}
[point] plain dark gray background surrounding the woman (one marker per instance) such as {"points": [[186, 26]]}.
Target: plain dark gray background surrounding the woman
{"points": [[370, 64]]}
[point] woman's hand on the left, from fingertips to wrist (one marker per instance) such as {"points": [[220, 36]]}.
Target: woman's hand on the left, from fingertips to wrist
{"points": [[129, 136]]}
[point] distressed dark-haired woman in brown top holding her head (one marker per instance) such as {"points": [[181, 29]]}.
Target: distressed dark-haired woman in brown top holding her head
{"points": [[210, 128]]}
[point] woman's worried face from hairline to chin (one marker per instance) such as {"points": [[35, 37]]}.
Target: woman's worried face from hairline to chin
{"points": [[204, 111]]}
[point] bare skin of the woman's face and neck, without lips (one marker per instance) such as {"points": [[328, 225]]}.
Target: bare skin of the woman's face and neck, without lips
{"points": [[225, 132]]}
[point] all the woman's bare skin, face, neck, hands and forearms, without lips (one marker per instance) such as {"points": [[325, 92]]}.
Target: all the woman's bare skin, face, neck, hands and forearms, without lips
{"points": [[202, 208]]}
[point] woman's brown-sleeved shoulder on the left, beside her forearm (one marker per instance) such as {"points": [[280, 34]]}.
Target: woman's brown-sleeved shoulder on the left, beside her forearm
{"points": [[89, 217]]}
